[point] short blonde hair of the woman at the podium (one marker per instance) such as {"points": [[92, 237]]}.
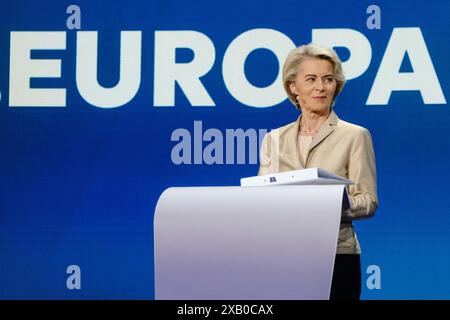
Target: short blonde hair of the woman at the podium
{"points": [[300, 54]]}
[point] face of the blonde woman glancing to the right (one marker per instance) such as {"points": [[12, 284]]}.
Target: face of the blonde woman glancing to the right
{"points": [[315, 85]]}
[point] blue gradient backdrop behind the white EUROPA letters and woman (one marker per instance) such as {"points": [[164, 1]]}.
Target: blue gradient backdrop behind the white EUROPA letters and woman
{"points": [[79, 184]]}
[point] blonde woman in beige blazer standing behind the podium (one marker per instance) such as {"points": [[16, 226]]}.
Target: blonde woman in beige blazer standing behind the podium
{"points": [[313, 78]]}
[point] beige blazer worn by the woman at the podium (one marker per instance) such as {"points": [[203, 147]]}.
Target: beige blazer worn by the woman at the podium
{"points": [[340, 147]]}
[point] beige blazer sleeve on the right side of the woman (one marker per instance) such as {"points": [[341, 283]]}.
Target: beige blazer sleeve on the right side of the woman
{"points": [[362, 170]]}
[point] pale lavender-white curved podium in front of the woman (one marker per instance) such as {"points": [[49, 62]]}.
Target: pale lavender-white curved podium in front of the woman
{"points": [[246, 243]]}
